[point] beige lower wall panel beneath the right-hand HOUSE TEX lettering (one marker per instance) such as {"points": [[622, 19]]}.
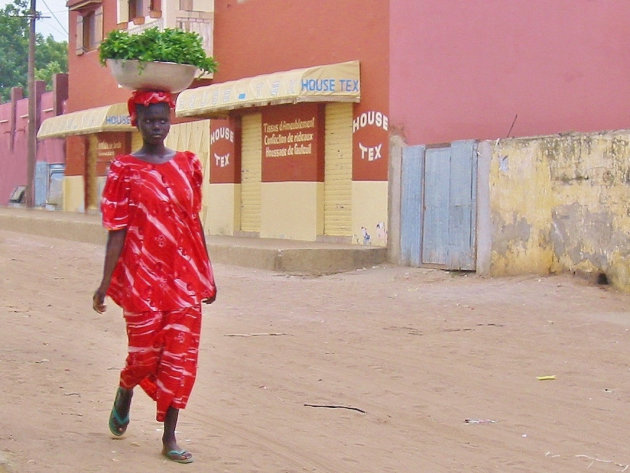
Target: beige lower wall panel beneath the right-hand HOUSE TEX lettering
{"points": [[369, 212]]}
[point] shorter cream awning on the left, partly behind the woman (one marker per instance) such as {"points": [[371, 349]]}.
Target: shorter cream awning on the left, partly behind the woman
{"points": [[93, 120]]}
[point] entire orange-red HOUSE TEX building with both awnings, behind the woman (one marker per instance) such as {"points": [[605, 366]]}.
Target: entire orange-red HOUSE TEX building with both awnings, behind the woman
{"points": [[304, 157]]}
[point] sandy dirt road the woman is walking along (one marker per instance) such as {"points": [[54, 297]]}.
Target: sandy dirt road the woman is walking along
{"points": [[418, 351]]}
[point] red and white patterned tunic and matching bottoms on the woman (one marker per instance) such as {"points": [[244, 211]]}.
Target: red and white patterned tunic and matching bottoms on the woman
{"points": [[163, 272]]}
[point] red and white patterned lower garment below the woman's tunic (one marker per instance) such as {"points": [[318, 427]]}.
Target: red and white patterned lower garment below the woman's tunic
{"points": [[162, 355]]}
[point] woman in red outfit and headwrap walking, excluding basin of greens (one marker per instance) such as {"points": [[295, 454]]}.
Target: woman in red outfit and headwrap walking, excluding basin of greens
{"points": [[156, 267]]}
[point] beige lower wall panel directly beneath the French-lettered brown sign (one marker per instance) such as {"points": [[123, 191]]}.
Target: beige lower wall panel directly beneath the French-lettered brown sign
{"points": [[292, 210]]}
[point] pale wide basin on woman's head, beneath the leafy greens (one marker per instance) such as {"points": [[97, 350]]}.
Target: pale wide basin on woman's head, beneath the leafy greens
{"points": [[167, 76]]}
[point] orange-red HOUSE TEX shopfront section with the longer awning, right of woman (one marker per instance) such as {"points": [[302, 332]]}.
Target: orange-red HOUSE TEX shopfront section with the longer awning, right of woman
{"points": [[299, 120]]}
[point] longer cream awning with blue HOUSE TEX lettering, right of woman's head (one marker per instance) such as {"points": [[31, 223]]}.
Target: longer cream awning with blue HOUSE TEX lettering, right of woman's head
{"points": [[328, 83]]}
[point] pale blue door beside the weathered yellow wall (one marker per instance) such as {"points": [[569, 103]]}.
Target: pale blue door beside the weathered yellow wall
{"points": [[438, 206]]}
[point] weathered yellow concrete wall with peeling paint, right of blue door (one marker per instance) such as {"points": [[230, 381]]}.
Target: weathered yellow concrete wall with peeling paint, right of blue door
{"points": [[561, 203]]}
